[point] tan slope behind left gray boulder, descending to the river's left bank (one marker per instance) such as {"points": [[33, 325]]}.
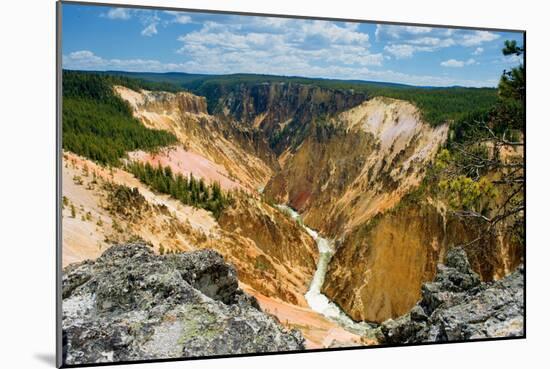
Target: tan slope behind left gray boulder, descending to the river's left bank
{"points": [[274, 257]]}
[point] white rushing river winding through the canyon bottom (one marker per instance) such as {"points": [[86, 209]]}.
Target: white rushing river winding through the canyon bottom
{"points": [[316, 300]]}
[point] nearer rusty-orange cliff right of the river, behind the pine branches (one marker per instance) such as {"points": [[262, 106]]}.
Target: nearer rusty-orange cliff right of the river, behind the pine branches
{"points": [[379, 268]]}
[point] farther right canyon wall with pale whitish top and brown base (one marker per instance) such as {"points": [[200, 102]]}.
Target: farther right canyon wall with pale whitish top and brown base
{"points": [[358, 164]]}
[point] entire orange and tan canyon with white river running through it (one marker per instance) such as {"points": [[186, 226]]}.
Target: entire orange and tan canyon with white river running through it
{"points": [[321, 231]]}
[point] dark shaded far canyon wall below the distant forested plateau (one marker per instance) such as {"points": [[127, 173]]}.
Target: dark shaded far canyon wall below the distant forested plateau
{"points": [[282, 111]]}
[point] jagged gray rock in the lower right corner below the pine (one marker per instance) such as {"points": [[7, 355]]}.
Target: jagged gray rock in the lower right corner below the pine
{"points": [[458, 306]]}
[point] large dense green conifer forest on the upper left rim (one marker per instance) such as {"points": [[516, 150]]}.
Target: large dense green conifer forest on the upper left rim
{"points": [[98, 124]]}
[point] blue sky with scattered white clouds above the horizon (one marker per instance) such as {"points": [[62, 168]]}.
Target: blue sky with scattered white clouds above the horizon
{"points": [[110, 38]]}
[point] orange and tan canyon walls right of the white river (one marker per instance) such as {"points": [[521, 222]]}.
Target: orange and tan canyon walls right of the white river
{"points": [[347, 177]]}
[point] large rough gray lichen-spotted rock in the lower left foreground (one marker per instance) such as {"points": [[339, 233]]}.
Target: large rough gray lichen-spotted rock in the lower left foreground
{"points": [[131, 304]]}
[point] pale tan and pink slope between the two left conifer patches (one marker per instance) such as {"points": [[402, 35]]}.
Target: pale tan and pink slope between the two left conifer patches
{"points": [[226, 155]]}
